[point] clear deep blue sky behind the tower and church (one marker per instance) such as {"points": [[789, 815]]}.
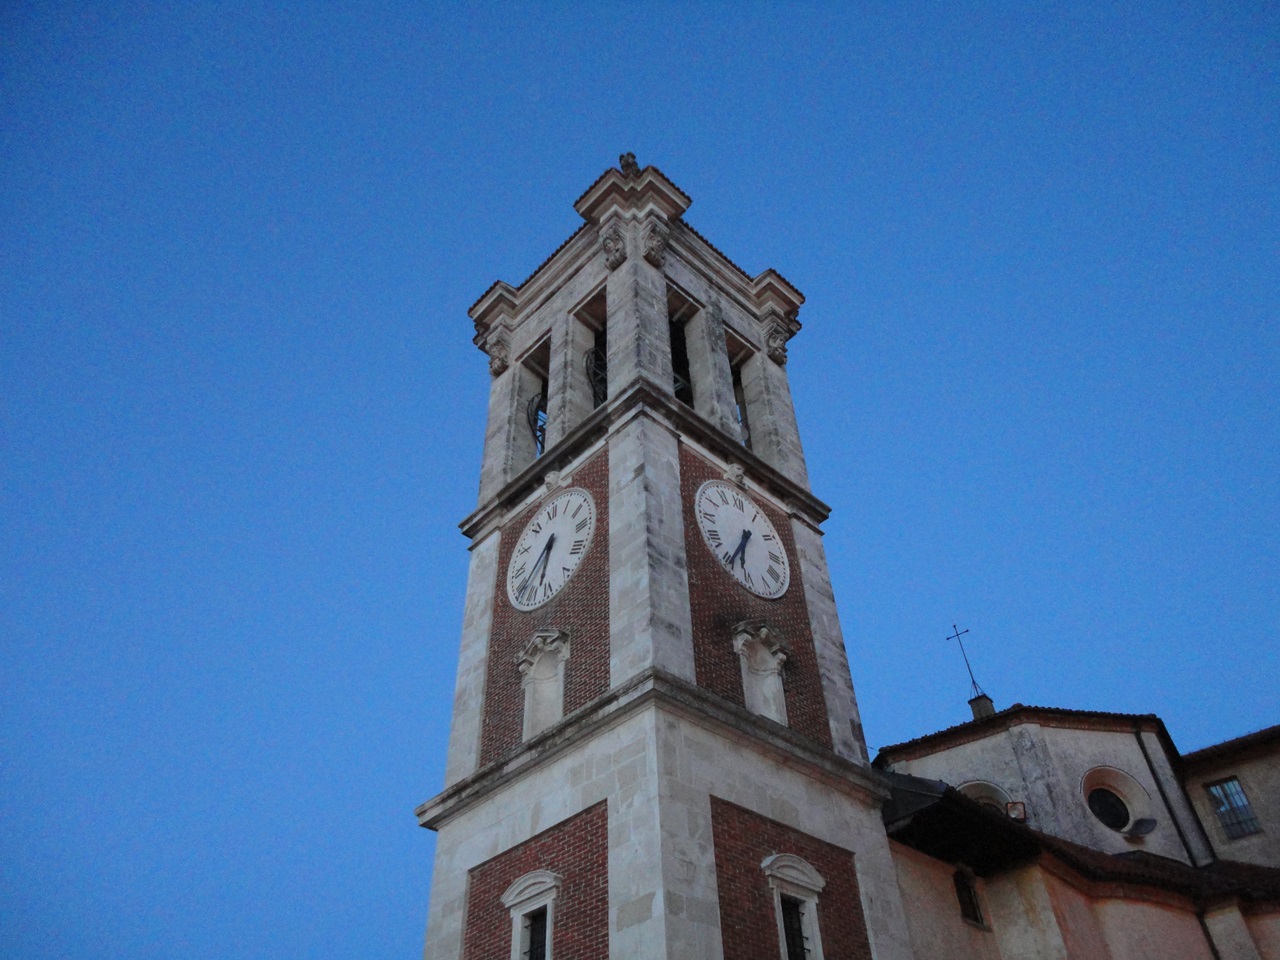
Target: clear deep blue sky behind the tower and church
{"points": [[241, 413]]}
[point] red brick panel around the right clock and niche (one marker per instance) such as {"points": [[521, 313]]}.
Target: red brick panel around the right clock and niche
{"points": [[717, 602]]}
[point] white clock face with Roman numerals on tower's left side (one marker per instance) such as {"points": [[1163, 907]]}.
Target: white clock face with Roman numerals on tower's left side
{"points": [[550, 550]]}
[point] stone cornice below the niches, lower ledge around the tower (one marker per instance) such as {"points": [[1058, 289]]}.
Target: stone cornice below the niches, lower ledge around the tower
{"points": [[666, 692]]}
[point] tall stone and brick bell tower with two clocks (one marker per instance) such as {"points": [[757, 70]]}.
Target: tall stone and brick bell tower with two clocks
{"points": [[656, 748]]}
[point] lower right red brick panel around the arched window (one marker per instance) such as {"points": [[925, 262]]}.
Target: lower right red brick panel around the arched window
{"points": [[748, 921]]}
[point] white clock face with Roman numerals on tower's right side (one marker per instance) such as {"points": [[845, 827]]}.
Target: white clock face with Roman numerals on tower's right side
{"points": [[743, 540]]}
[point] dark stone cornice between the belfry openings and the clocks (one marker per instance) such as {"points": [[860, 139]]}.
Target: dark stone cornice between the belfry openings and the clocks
{"points": [[644, 399]]}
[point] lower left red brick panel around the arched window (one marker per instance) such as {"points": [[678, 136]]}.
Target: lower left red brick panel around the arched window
{"points": [[577, 849]]}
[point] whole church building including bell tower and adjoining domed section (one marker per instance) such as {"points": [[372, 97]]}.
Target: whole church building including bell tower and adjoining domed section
{"points": [[656, 747]]}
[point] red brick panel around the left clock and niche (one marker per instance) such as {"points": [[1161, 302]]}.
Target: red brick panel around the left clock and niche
{"points": [[582, 607]]}
